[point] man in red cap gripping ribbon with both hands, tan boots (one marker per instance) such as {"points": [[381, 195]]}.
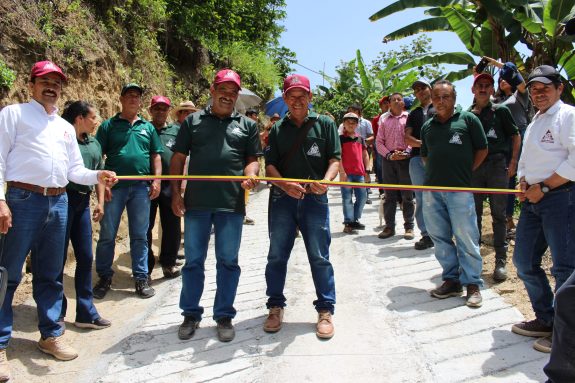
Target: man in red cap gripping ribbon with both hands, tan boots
{"points": [[302, 145]]}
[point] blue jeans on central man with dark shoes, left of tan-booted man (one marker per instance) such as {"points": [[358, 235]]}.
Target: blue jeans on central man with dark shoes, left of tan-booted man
{"points": [[228, 235]]}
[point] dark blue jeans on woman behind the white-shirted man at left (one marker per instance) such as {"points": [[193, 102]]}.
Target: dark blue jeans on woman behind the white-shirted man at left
{"points": [[79, 231]]}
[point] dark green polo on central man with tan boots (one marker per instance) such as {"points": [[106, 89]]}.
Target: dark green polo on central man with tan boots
{"points": [[311, 160]]}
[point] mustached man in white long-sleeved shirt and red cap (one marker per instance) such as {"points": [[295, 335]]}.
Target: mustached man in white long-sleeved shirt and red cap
{"points": [[38, 155]]}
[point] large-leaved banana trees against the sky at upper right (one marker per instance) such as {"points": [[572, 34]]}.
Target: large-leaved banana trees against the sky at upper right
{"points": [[493, 28]]}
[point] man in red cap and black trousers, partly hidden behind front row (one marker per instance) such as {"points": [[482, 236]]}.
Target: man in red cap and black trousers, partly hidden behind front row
{"points": [[171, 224]]}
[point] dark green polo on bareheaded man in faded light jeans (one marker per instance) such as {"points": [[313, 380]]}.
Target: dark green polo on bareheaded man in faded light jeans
{"points": [[450, 148]]}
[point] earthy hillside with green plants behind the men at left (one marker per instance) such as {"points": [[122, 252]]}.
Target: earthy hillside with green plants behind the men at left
{"points": [[101, 45]]}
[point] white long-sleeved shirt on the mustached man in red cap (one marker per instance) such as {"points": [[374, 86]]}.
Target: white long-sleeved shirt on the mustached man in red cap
{"points": [[39, 148]]}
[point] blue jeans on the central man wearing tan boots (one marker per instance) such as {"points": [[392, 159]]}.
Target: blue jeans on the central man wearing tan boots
{"points": [[311, 216]]}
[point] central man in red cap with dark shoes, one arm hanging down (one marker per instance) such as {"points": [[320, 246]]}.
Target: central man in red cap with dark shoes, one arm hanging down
{"points": [[219, 141]]}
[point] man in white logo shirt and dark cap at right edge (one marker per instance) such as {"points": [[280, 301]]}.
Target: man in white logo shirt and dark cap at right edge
{"points": [[546, 173]]}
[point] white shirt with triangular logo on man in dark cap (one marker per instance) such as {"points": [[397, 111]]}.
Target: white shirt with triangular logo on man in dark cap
{"points": [[549, 145]]}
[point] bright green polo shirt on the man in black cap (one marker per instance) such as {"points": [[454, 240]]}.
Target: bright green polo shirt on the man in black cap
{"points": [[127, 147]]}
